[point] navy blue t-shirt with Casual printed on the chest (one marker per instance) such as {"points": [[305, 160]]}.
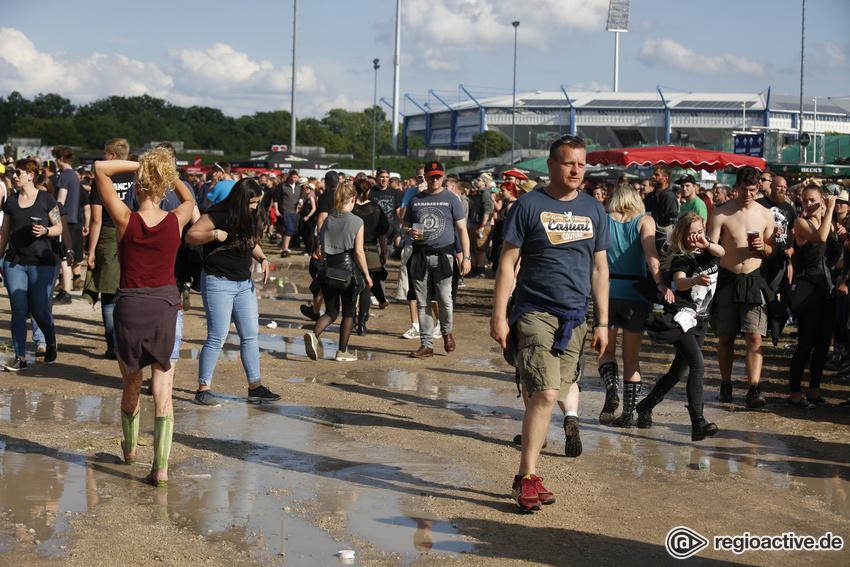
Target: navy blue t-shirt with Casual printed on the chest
{"points": [[557, 240]]}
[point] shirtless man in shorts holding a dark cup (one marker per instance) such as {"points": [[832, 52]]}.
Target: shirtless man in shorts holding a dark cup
{"points": [[745, 230]]}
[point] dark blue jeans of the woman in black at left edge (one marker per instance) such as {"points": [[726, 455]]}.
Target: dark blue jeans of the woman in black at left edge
{"points": [[30, 289]]}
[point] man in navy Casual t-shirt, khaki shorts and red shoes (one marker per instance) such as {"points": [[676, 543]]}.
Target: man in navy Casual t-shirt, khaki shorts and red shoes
{"points": [[561, 234]]}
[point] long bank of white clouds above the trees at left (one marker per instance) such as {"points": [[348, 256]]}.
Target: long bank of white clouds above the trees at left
{"points": [[216, 76]]}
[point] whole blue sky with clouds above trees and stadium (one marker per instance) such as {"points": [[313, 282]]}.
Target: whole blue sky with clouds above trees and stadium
{"points": [[237, 56]]}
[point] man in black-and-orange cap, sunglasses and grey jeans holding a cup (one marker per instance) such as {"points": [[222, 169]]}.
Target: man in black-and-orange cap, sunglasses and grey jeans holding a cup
{"points": [[430, 220]]}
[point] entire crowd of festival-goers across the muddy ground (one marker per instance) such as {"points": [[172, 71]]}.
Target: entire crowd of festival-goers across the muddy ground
{"points": [[618, 261]]}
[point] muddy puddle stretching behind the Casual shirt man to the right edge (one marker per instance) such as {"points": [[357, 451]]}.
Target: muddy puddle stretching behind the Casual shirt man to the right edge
{"points": [[784, 461]]}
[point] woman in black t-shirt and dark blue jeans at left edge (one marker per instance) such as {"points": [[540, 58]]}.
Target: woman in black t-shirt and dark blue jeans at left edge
{"points": [[30, 221]]}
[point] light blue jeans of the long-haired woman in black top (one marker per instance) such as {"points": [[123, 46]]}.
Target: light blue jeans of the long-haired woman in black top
{"points": [[225, 299]]}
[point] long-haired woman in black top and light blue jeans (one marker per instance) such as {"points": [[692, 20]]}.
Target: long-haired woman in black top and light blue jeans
{"points": [[230, 232]]}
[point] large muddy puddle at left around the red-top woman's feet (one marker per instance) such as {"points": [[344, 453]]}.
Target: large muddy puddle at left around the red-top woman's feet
{"points": [[295, 470]]}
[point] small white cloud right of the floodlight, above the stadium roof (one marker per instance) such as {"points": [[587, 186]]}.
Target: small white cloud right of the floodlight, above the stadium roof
{"points": [[670, 54]]}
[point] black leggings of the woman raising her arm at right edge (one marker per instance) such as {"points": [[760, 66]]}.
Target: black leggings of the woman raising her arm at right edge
{"points": [[813, 336]]}
